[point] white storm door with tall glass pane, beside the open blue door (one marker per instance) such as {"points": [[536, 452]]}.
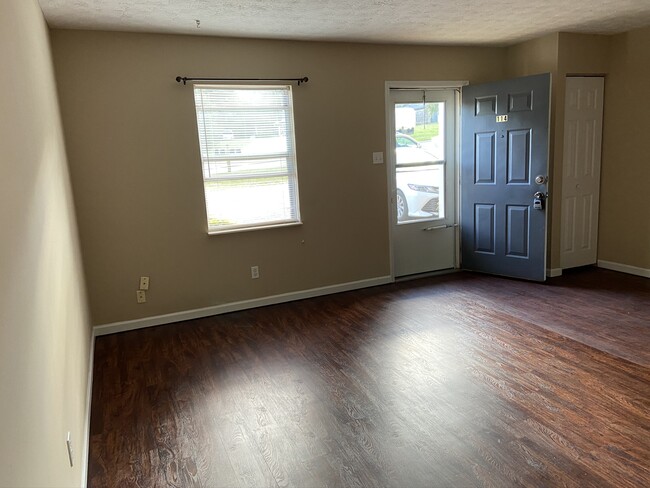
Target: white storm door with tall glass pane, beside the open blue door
{"points": [[422, 128]]}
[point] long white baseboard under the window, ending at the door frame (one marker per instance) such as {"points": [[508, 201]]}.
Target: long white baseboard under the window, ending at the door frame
{"points": [[116, 327]]}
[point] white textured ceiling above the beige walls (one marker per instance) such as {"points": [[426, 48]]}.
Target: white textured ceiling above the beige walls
{"points": [[494, 22]]}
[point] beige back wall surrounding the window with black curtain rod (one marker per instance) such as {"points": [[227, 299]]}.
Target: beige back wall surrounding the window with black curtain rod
{"points": [[132, 145]]}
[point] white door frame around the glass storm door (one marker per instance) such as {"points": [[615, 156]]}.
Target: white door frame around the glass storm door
{"points": [[415, 86]]}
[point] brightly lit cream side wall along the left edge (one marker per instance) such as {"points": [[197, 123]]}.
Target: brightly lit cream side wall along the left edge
{"points": [[44, 330]]}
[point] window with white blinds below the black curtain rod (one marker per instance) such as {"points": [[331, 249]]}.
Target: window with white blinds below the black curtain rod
{"points": [[248, 156]]}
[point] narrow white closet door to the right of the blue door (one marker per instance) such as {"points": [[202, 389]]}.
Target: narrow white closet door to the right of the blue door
{"points": [[583, 126]]}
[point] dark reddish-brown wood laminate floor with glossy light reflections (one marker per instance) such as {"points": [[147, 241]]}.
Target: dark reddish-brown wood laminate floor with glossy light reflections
{"points": [[457, 381]]}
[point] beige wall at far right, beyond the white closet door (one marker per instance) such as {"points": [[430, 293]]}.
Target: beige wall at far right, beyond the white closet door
{"points": [[624, 235]]}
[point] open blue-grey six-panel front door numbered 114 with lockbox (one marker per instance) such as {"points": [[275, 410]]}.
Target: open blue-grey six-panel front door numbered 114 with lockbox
{"points": [[504, 148]]}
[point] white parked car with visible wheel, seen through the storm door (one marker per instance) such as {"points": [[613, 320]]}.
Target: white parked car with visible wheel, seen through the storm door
{"points": [[417, 197]]}
